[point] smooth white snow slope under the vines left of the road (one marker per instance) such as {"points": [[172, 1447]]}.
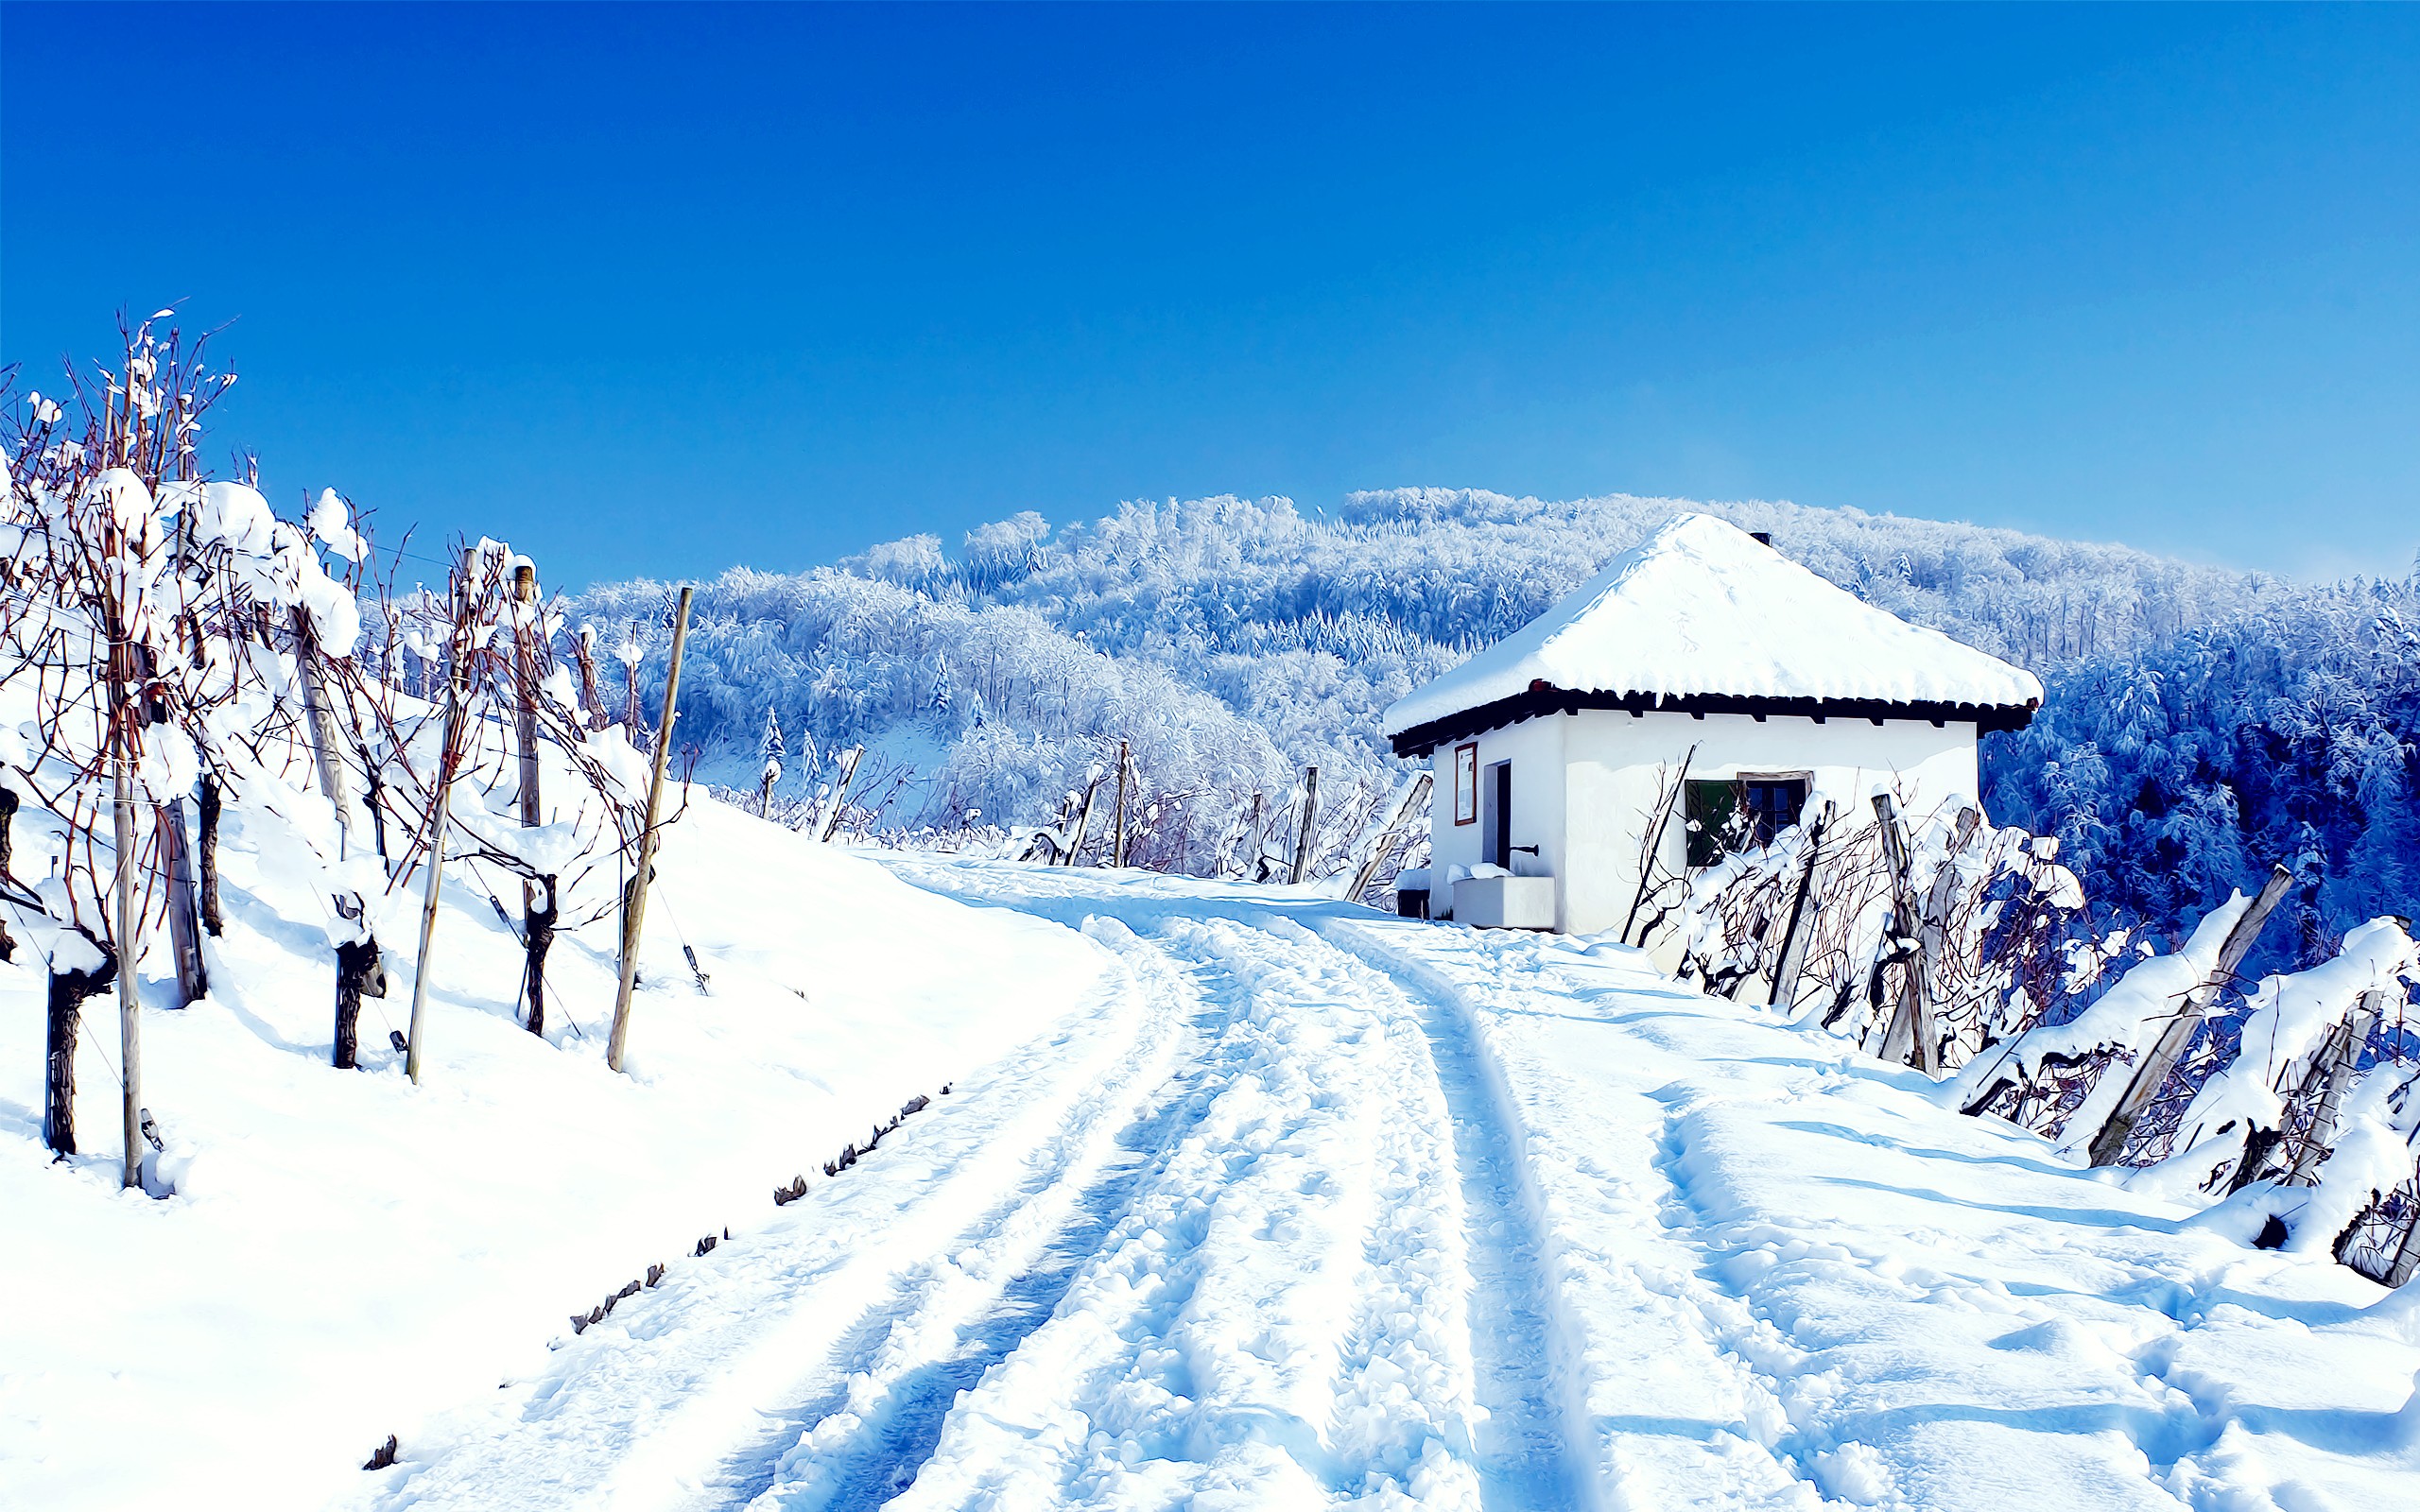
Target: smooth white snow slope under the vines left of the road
{"points": [[350, 1252]]}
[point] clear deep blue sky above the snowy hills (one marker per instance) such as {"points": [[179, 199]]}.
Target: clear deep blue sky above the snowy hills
{"points": [[659, 292]]}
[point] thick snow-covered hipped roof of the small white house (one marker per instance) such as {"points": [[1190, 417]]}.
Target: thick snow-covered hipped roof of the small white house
{"points": [[1700, 608]]}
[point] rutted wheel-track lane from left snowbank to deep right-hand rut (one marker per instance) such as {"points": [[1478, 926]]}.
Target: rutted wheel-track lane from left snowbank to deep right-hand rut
{"points": [[1214, 1242]]}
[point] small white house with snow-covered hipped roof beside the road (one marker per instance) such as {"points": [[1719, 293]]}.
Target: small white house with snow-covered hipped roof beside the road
{"points": [[1698, 650]]}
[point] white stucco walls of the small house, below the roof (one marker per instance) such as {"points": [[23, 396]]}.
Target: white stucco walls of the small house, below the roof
{"points": [[1584, 787]]}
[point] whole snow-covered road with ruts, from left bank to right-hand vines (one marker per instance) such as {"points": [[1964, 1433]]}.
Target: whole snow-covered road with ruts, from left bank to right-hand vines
{"points": [[1313, 1208]]}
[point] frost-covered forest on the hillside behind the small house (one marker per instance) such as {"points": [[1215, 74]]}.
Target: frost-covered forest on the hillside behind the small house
{"points": [[2201, 722]]}
